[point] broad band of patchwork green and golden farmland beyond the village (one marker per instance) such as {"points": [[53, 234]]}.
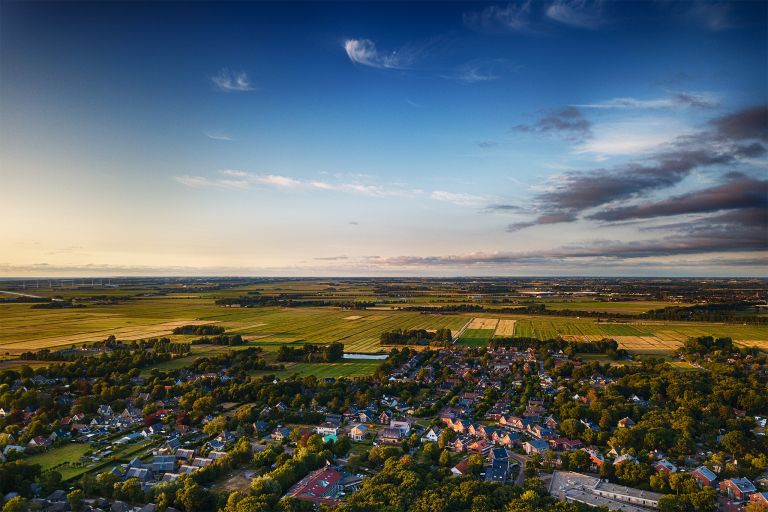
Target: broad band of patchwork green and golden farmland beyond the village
{"points": [[142, 313]]}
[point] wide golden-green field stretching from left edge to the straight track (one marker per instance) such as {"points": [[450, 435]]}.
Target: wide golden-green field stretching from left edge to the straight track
{"points": [[23, 328]]}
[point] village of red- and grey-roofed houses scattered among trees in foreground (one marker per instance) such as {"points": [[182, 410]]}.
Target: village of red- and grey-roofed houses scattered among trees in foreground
{"points": [[494, 415]]}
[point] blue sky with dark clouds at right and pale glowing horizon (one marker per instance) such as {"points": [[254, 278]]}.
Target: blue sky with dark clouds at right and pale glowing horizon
{"points": [[564, 137]]}
